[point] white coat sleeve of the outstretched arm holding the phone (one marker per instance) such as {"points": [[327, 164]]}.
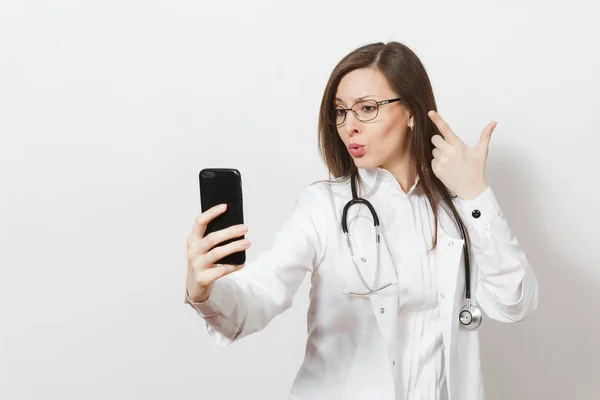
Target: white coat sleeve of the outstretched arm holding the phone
{"points": [[247, 300]]}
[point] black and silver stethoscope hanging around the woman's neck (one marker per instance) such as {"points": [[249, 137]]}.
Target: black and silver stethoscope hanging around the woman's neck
{"points": [[470, 316]]}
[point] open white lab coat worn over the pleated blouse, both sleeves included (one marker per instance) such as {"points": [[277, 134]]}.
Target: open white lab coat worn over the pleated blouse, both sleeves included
{"points": [[346, 355]]}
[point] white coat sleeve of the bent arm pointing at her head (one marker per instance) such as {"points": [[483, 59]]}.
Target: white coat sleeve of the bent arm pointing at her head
{"points": [[506, 288]]}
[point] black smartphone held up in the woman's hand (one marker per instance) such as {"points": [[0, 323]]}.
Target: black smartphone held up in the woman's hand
{"points": [[223, 186]]}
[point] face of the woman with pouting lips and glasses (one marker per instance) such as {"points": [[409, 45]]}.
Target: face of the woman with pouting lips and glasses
{"points": [[385, 140]]}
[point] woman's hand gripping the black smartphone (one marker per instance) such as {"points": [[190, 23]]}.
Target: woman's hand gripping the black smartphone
{"points": [[202, 253]]}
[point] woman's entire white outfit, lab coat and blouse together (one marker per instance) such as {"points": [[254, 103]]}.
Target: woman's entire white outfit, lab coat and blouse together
{"points": [[354, 350]]}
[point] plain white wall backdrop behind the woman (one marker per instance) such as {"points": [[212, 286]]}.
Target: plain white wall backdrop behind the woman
{"points": [[108, 110]]}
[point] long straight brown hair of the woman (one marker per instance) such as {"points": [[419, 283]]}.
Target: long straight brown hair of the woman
{"points": [[406, 75]]}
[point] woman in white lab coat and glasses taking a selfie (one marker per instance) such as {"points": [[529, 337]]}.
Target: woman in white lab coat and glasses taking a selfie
{"points": [[401, 275]]}
